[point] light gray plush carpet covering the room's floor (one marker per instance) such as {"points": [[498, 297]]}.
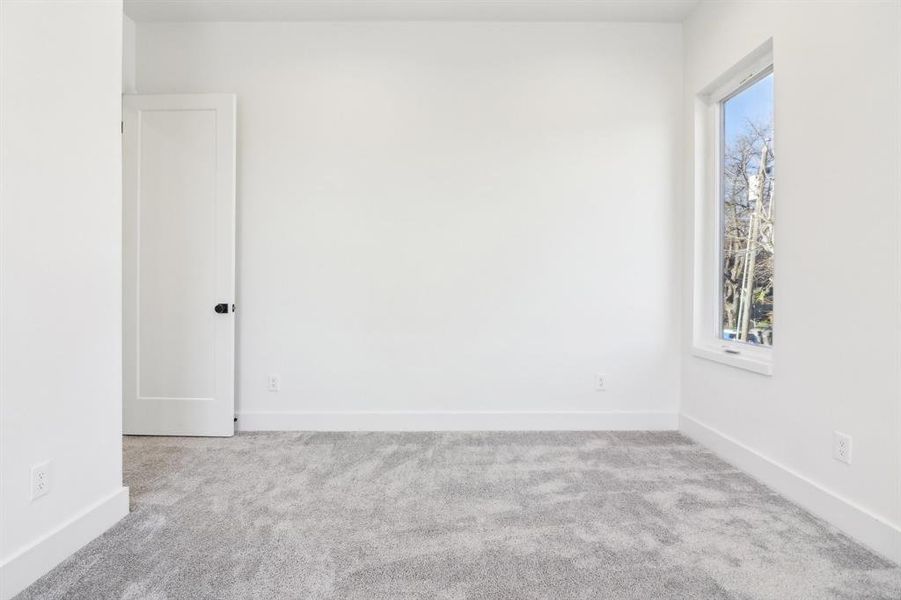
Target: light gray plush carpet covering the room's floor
{"points": [[458, 515]]}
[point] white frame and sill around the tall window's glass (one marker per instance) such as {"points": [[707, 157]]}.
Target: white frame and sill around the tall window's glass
{"points": [[707, 342]]}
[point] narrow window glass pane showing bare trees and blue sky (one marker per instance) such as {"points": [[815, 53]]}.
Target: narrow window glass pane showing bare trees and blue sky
{"points": [[746, 170]]}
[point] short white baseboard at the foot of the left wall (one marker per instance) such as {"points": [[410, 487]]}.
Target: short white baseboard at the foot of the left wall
{"points": [[29, 564]]}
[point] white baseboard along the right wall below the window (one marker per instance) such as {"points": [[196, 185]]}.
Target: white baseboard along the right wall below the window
{"points": [[854, 520]]}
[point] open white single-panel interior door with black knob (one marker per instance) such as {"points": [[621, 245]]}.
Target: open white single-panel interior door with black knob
{"points": [[179, 264]]}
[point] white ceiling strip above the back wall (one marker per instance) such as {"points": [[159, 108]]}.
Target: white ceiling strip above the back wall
{"points": [[409, 10]]}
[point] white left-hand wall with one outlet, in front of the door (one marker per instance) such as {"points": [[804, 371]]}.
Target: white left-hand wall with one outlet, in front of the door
{"points": [[60, 279]]}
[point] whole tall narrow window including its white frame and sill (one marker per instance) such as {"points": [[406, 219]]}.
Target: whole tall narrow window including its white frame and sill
{"points": [[734, 166]]}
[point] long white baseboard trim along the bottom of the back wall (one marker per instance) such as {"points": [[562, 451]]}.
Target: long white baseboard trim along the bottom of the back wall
{"points": [[457, 421]]}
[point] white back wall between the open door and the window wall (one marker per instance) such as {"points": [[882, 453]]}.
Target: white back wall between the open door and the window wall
{"points": [[448, 217]]}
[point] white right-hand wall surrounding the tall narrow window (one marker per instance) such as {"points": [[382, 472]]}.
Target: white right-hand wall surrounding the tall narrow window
{"points": [[836, 361]]}
